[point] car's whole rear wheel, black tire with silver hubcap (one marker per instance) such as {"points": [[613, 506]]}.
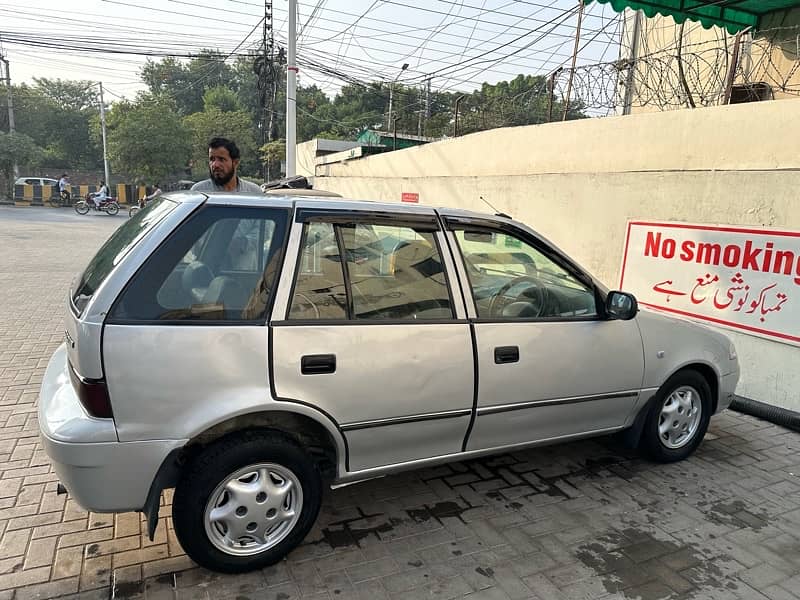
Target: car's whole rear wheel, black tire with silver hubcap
{"points": [[246, 501]]}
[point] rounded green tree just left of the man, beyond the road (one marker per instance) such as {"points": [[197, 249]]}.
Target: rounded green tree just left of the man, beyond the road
{"points": [[146, 138]]}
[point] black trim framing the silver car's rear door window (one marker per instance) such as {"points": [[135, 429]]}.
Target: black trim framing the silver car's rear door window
{"points": [[339, 218]]}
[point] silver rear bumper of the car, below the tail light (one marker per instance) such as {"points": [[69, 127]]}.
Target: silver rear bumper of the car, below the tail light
{"points": [[100, 473]]}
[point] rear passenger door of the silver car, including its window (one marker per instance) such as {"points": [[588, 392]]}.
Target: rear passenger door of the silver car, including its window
{"points": [[370, 333]]}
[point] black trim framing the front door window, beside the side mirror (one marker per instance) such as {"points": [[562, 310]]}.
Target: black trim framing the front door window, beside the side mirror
{"points": [[454, 224]]}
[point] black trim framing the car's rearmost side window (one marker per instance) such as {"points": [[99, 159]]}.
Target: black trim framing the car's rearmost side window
{"points": [[279, 256]]}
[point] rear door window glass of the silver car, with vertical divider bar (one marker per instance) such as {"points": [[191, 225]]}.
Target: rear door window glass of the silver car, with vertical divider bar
{"points": [[394, 272]]}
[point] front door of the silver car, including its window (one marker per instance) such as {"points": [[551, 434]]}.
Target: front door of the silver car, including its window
{"points": [[549, 365]]}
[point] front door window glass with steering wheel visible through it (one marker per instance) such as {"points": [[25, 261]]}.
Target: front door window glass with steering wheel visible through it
{"points": [[511, 279]]}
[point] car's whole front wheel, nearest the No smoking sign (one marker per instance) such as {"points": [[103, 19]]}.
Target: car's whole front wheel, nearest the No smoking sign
{"points": [[679, 417]]}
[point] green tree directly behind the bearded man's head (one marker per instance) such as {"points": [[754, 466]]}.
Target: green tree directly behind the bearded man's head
{"points": [[236, 126]]}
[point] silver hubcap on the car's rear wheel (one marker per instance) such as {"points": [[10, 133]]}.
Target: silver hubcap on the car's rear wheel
{"points": [[253, 509]]}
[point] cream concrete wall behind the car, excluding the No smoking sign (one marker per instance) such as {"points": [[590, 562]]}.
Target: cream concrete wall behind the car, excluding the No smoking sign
{"points": [[578, 183]]}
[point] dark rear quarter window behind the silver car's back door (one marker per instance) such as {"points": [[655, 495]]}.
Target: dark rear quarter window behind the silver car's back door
{"points": [[220, 265]]}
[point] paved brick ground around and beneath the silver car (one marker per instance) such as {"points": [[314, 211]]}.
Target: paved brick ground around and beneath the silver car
{"points": [[582, 520]]}
